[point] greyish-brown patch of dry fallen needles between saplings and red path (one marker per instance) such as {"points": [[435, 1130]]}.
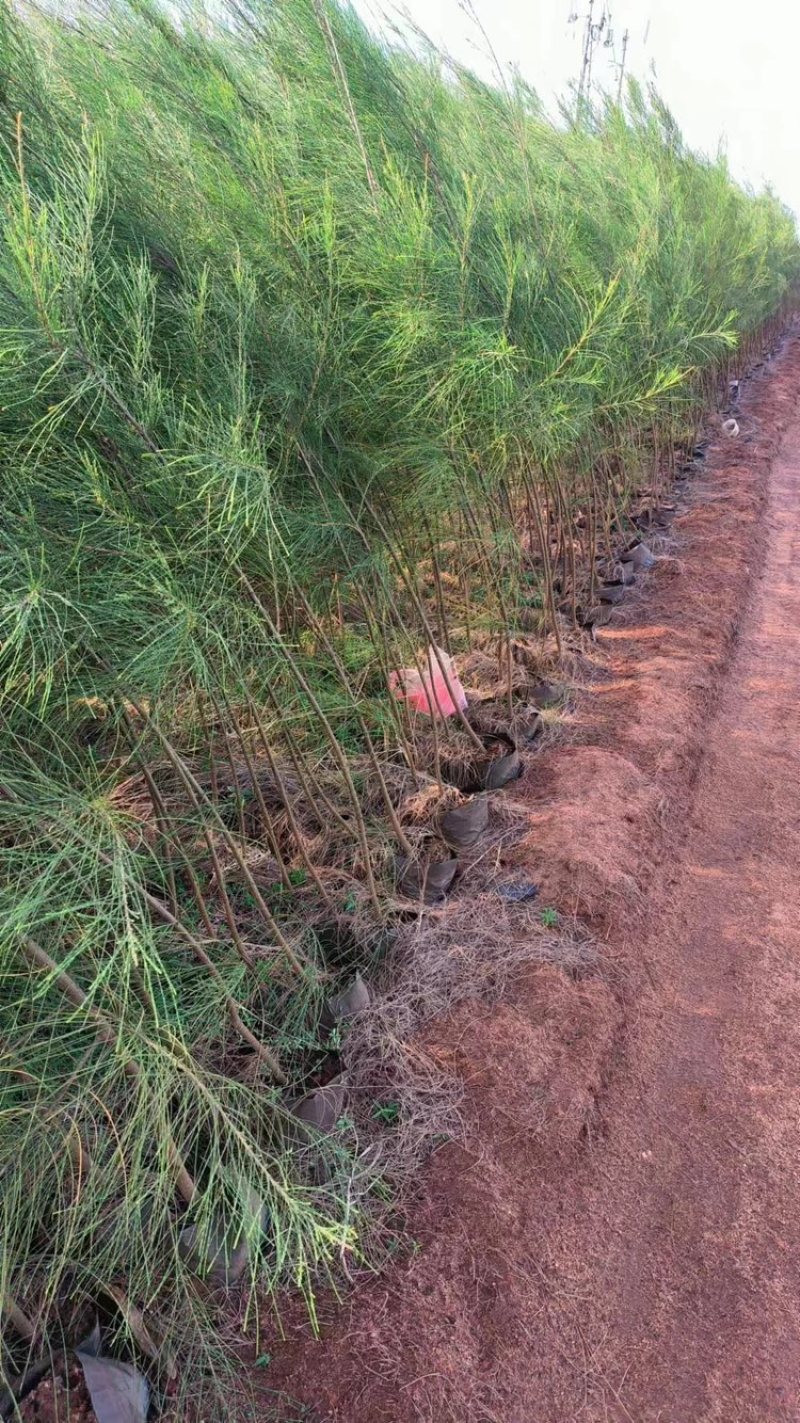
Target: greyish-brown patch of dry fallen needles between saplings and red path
{"points": [[470, 948]]}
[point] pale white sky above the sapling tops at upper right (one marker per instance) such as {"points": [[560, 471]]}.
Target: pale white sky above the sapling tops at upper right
{"points": [[728, 69]]}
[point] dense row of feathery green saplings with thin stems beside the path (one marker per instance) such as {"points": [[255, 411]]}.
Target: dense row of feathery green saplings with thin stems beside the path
{"points": [[301, 341]]}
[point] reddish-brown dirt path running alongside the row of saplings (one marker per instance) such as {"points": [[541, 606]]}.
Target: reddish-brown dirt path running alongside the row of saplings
{"points": [[620, 1239]]}
